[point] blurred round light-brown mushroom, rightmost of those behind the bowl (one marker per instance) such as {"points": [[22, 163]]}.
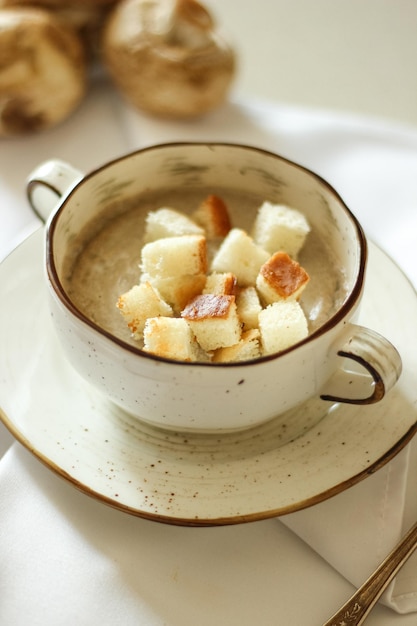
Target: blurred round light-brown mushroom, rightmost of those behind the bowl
{"points": [[167, 57]]}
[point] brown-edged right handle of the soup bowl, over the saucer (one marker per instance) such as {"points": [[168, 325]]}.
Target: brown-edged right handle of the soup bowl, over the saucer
{"points": [[376, 356]]}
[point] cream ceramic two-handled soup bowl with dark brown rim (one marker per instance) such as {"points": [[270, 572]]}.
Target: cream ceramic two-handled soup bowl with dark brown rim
{"points": [[331, 364]]}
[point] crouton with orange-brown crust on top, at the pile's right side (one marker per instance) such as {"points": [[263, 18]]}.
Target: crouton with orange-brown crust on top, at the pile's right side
{"points": [[281, 278]]}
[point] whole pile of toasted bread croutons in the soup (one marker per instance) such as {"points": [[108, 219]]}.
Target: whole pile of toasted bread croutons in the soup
{"points": [[178, 311]]}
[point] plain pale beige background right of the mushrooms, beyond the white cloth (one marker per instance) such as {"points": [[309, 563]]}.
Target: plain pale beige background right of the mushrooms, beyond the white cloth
{"points": [[348, 55]]}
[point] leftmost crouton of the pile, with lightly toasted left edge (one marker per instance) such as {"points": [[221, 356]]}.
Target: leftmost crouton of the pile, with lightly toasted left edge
{"points": [[139, 303]]}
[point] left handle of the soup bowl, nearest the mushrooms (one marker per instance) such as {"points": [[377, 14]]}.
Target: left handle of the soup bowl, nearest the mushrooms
{"points": [[48, 184]]}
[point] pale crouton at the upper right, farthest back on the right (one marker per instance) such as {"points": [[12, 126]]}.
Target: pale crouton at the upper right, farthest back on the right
{"points": [[278, 227]]}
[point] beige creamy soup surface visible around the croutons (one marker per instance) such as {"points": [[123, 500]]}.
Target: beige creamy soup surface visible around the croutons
{"points": [[107, 262]]}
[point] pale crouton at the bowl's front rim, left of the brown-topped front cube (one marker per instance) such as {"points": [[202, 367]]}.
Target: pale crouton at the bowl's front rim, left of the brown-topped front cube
{"points": [[171, 338]]}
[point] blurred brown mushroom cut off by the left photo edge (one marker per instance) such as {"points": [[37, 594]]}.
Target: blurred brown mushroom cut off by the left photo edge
{"points": [[42, 70]]}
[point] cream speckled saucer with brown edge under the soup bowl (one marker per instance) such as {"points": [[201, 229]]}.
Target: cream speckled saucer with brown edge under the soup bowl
{"points": [[195, 479]]}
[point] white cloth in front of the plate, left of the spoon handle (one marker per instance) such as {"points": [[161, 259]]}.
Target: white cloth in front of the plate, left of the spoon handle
{"points": [[67, 559]]}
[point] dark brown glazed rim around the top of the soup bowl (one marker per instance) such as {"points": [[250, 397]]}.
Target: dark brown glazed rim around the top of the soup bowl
{"points": [[347, 305]]}
